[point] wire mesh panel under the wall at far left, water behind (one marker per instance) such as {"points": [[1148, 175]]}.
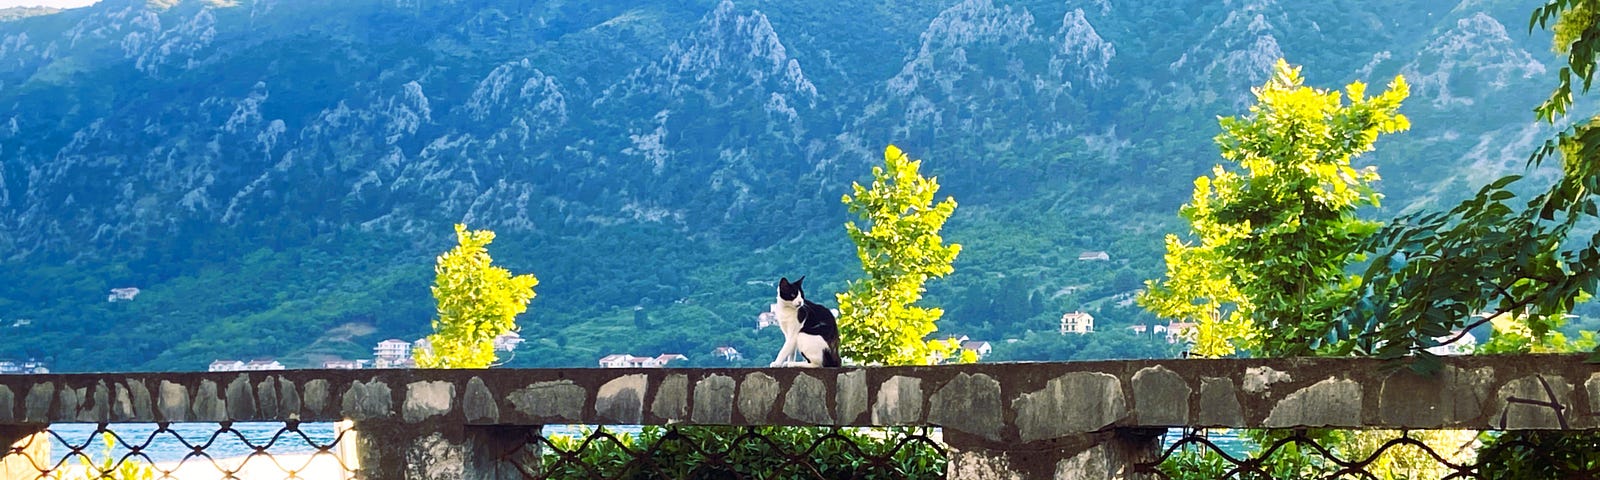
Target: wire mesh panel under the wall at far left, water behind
{"points": [[127, 452]]}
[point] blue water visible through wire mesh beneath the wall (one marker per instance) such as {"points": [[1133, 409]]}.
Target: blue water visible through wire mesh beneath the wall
{"points": [[167, 447]]}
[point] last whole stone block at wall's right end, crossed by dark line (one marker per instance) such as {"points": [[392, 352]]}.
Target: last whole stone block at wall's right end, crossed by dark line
{"points": [[1534, 402]]}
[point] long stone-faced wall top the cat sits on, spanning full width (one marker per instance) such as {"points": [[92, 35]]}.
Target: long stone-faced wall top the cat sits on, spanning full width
{"points": [[994, 402]]}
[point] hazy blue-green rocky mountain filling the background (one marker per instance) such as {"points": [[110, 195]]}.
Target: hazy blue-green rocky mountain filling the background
{"points": [[276, 177]]}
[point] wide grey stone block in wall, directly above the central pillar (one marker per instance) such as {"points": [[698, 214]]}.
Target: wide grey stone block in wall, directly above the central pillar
{"points": [[1073, 404]]}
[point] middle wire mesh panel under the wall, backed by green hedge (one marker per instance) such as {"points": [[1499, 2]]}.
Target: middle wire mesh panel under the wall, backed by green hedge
{"points": [[737, 454]]}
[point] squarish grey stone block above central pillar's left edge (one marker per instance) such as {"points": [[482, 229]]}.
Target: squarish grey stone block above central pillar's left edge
{"points": [[969, 404]]}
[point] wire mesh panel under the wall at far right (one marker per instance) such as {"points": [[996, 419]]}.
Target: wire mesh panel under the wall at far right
{"points": [[1426, 455]]}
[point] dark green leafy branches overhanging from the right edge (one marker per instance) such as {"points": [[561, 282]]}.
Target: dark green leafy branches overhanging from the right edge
{"points": [[1434, 273]]}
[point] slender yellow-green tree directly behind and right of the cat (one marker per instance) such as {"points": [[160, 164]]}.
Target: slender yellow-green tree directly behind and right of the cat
{"points": [[900, 249]]}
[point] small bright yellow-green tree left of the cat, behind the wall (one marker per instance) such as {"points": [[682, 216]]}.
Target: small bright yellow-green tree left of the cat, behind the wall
{"points": [[478, 302]]}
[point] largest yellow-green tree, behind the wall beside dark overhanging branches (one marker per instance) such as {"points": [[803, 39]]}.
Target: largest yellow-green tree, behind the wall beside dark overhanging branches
{"points": [[1274, 238]]}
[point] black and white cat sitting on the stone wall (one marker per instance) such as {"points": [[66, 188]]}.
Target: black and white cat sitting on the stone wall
{"points": [[807, 327]]}
